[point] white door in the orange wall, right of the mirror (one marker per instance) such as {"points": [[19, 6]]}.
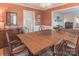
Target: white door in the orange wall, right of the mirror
{"points": [[29, 20]]}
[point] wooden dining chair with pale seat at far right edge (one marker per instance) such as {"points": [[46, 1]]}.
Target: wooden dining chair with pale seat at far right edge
{"points": [[72, 47]]}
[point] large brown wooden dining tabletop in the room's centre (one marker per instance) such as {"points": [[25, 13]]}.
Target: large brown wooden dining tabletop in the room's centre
{"points": [[39, 40]]}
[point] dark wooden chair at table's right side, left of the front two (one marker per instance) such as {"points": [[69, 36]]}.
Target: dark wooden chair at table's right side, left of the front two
{"points": [[59, 48]]}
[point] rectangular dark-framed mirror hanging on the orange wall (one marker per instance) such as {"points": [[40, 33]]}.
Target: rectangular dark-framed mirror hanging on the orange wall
{"points": [[11, 18]]}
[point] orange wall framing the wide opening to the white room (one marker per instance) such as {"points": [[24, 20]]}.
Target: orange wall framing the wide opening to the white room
{"points": [[47, 13]]}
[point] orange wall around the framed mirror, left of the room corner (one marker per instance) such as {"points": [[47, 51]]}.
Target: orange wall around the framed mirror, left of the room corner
{"points": [[6, 7]]}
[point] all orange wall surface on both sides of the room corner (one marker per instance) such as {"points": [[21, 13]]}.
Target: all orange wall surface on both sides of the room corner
{"points": [[45, 16]]}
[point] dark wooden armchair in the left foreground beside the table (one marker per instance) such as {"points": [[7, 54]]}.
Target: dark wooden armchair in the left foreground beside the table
{"points": [[19, 50]]}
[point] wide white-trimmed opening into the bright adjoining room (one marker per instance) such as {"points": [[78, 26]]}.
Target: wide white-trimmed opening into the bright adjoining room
{"points": [[68, 18]]}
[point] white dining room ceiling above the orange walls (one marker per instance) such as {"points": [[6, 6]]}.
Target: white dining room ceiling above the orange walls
{"points": [[41, 6]]}
